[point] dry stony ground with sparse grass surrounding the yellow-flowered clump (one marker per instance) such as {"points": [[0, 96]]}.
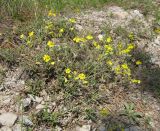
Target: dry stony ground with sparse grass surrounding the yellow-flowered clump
{"points": [[30, 110]]}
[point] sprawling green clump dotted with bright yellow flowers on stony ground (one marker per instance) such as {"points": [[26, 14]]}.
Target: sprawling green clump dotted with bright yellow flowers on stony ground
{"points": [[77, 62]]}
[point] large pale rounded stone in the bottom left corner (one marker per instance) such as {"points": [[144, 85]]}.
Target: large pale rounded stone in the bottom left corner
{"points": [[8, 119]]}
